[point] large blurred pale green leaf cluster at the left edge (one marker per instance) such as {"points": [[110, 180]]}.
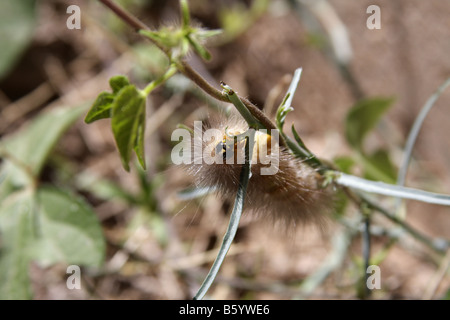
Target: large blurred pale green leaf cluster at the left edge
{"points": [[40, 222]]}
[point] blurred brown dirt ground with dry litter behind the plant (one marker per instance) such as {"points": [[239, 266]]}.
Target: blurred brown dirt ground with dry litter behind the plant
{"points": [[408, 58]]}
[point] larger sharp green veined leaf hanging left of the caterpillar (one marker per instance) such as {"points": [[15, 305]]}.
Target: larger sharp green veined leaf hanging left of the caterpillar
{"points": [[127, 110]]}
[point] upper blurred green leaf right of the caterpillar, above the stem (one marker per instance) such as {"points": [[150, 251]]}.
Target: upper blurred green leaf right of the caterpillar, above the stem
{"points": [[363, 116]]}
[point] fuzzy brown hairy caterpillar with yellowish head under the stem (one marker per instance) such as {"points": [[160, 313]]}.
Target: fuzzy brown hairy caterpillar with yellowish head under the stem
{"points": [[292, 195]]}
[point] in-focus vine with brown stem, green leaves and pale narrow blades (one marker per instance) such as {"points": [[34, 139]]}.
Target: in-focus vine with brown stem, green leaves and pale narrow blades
{"points": [[125, 107]]}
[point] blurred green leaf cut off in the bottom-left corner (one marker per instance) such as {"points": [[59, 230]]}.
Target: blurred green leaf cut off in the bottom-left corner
{"points": [[16, 230]]}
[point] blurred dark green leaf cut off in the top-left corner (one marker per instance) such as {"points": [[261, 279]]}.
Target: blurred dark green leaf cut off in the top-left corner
{"points": [[17, 21]]}
